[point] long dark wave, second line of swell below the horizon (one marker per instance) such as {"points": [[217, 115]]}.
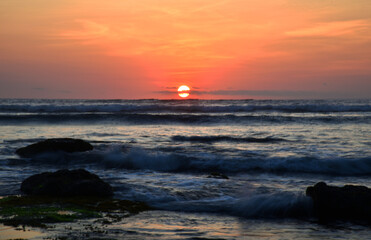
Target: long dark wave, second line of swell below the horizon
{"points": [[148, 118]]}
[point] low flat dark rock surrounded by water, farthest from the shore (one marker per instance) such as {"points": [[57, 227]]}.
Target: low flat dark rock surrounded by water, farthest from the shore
{"points": [[55, 144]]}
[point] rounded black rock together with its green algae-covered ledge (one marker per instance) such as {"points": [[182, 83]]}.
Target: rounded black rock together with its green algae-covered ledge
{"points": [[65, 196]]}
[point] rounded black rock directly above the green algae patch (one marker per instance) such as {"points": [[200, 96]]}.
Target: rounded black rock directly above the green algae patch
{"points": [[66, 183]]}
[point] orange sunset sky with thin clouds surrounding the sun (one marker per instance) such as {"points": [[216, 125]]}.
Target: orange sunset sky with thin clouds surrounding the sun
{"points": [[235, 49]]}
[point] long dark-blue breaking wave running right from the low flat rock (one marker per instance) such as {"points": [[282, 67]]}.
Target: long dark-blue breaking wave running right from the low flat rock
{"points": [[137, 158]]}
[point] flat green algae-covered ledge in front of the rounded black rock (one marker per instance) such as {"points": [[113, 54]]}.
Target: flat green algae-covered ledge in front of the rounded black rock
{"points": [[37, 211]]}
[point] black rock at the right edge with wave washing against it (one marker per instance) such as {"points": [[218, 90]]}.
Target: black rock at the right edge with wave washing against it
{"points": [[341, 203]]}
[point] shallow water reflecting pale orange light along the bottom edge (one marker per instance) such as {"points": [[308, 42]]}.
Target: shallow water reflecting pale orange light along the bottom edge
{"points": [[192, 226]]}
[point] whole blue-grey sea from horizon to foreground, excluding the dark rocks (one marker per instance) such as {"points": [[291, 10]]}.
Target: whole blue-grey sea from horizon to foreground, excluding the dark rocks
{"points": [[162, 152]]}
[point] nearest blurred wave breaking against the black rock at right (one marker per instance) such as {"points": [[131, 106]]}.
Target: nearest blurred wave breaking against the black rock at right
{"points": [[255, 205]]}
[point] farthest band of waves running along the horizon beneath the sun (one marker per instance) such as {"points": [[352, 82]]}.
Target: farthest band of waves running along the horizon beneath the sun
{"points": [[199, 106]]}
